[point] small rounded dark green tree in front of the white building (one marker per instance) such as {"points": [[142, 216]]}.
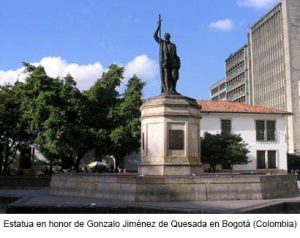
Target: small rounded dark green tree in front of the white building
{"points": [[224, 149]]}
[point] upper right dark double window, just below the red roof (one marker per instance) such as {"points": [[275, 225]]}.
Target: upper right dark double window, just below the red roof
{"points": [[265, 130]]}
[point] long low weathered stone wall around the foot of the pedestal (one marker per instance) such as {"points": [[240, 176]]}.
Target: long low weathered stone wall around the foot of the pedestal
{"points": [[206, 187]]}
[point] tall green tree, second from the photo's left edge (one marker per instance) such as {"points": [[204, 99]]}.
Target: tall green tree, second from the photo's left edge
{"points": [[41, 109]]}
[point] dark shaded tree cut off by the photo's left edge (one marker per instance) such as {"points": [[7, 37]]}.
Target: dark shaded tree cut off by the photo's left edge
{"points": [[12, 129]]}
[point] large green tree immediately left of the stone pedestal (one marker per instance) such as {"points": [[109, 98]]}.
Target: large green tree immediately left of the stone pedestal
{"points": [[114, 118]]}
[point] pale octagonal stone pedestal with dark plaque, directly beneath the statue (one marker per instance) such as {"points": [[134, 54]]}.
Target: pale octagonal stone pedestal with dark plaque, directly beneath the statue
{"points": [[170, 140]]}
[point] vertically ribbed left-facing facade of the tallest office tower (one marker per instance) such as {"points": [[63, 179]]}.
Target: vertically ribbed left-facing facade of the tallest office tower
{"points": [[267, 54]]}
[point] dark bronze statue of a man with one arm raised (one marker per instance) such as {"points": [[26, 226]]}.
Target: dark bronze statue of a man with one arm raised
{"points": [[169, 62]]}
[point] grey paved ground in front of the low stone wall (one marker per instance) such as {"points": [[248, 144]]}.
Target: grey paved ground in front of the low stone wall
{"points": [[38, 199]]}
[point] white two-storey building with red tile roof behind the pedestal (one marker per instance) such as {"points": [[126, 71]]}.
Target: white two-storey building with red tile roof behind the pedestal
{"points": [[261, 128]]}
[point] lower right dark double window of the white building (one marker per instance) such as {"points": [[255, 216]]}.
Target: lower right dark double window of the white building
{"points": [[266, 159]]}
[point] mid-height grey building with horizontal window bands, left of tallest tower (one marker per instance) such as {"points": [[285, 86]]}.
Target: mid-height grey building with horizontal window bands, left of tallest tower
{"points": [[237, 83]]}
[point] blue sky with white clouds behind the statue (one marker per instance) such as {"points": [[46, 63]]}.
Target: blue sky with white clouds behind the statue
{"points": [[83, 37]]}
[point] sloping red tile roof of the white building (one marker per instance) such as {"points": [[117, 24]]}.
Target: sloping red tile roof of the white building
{"points": [[236, 107]]}
